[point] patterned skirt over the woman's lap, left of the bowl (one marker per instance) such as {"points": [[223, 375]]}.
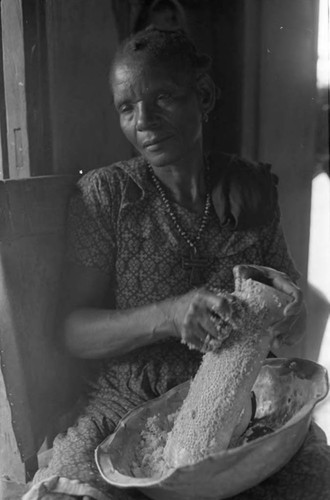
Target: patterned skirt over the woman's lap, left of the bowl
{"points": [[119, 389]]}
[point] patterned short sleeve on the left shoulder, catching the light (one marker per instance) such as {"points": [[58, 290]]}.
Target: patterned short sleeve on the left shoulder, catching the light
{"points": [[91, 237]]}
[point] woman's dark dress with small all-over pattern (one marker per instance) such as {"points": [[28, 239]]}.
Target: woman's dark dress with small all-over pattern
{"points": [[117, 224]]}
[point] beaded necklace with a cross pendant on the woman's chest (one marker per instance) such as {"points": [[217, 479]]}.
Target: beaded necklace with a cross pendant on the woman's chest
{"points": [[193, 262]]}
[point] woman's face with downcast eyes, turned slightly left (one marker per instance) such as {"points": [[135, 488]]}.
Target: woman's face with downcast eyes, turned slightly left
{"points": [[160, 112]]}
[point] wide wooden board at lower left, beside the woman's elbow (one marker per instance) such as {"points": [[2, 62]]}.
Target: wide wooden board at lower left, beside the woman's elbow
{"points": [[32, 227]]}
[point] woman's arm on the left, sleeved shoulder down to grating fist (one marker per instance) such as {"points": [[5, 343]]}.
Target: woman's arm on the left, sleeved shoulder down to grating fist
{"points": [[91, 327]]}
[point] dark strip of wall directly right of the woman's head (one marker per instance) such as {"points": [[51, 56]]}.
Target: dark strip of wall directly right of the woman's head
{"points": [[216, 27]]}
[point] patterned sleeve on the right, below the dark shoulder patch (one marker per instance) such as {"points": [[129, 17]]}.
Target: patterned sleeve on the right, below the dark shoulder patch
{"points": [[275, 250]]}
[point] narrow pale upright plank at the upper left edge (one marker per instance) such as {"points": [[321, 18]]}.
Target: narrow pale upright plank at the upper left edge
{"points": [[14, 85]]}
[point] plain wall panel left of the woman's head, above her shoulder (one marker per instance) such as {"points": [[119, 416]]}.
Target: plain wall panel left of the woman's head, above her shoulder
{"points": [[81, 39]]}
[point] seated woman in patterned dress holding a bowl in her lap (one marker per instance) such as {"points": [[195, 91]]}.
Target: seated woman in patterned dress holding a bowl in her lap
{"points": [[146, 245]]}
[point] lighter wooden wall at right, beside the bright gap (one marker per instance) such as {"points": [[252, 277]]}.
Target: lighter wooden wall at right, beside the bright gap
{"points": [[279, 110]]}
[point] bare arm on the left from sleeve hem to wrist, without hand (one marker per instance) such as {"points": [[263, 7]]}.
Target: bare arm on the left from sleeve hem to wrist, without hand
{"points": [[91, 330]]}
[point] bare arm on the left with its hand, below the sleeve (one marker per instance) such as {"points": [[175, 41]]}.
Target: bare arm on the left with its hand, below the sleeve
{"points": [[93, 331]]}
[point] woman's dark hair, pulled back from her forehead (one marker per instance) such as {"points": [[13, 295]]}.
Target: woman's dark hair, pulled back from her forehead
{"points": [[171, 47]]}
